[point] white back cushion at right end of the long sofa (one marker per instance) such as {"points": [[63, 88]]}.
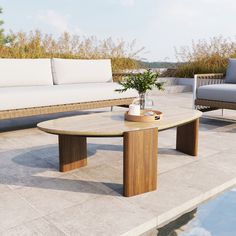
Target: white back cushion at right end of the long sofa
{"points": [[74, 71]]}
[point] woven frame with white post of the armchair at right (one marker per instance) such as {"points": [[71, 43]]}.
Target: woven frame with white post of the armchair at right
{"points": [[207, 105]]}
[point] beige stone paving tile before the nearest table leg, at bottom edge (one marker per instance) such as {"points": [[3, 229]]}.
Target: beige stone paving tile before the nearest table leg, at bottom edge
{"points": [[105, 215]]}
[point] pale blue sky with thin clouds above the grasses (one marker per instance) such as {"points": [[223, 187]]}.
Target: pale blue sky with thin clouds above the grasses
{"points": [[158, 25]]}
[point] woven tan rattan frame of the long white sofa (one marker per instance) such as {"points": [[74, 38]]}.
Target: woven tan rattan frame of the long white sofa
{"points": [[44, 110]]}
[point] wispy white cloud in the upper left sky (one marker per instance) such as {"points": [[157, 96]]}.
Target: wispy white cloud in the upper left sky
{"points": [[58, 22]]}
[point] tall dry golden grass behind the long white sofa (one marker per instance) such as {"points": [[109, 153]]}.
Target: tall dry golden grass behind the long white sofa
{"points": [[38, 45]]}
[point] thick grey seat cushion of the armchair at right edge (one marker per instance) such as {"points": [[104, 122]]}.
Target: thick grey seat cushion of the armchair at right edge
{"points": [[218, 92]]}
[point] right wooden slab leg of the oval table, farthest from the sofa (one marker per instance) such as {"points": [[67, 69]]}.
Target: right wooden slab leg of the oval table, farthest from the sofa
{"points": [[187, 138]]}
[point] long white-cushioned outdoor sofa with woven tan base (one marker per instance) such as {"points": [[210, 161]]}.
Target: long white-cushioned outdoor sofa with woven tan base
{"points": [[31, 87]]}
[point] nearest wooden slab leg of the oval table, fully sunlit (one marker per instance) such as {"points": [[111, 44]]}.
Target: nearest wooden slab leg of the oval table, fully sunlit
{"points": [[140, 161]]}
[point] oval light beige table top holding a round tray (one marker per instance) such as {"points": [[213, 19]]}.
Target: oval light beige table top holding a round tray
{"points": [[108, 124]]}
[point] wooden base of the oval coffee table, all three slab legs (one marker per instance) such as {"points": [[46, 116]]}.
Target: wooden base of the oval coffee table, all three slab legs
{"points": [[139, 151]]}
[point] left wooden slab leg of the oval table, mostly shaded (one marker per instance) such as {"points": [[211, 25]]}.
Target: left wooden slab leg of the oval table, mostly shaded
{"points": [[72, 152]]}
